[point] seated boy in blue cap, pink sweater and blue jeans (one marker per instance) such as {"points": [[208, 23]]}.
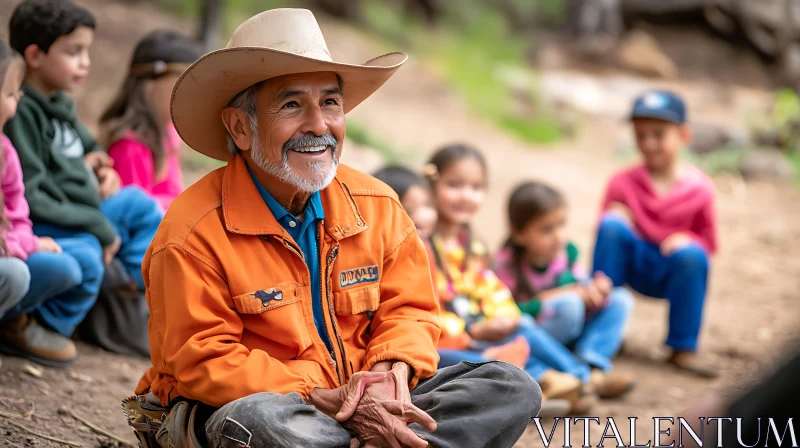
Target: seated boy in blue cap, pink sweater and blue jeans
{"points": [[658, 226]]}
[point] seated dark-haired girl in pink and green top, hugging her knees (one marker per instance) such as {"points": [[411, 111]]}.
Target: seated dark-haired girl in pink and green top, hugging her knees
{"points": [[540, 267]]}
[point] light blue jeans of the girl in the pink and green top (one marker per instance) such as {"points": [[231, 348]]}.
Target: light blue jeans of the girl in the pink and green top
{"points": [[597, 336]]}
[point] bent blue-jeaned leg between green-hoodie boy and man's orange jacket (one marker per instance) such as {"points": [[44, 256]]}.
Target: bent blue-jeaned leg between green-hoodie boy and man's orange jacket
{"points": [[136, 217]]}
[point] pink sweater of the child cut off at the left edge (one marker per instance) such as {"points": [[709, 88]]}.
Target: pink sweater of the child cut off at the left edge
{"points": [[19, 238]]}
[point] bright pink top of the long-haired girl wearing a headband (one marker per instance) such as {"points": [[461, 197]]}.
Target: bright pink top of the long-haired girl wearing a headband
{"points": [[134, 163]]}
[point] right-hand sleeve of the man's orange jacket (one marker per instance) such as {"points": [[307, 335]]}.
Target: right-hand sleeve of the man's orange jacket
{"points": [[405, 327]]}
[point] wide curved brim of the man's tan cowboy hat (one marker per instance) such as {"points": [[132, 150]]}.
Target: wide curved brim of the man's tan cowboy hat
{"points": [[208, 86]]}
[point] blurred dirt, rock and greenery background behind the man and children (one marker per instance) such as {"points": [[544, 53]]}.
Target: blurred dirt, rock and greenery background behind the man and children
{"points": [[543, 88]]}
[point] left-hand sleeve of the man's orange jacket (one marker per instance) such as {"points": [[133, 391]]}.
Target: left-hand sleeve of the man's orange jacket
{"points": [[199, 334]]}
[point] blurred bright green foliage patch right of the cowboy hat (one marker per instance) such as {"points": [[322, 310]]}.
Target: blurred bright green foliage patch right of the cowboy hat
{"points": [[470, 49]]}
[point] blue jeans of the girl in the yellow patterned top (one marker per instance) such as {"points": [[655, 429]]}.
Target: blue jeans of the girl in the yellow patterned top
{"points": [[546, 353]]}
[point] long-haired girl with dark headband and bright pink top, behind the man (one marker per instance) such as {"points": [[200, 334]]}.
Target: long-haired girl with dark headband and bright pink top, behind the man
{"points": [[137, 126]]}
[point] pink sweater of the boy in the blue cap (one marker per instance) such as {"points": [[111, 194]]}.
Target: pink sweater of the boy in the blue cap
{"points": [[688, 207]]}
